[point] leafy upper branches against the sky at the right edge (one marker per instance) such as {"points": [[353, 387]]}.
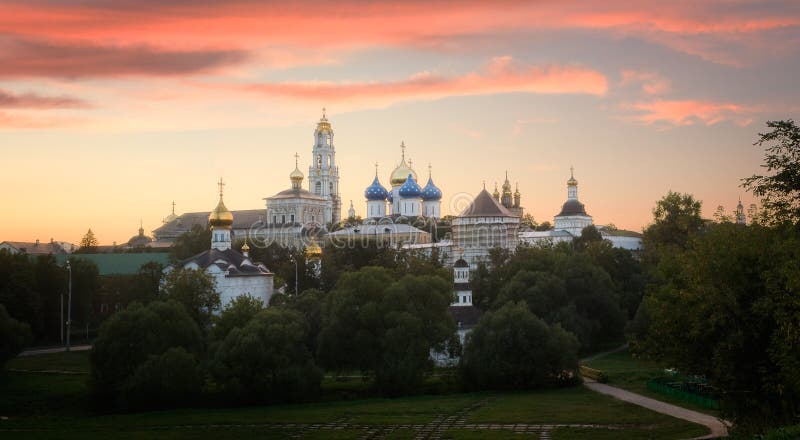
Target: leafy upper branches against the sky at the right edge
{"points": [[779, 190]]}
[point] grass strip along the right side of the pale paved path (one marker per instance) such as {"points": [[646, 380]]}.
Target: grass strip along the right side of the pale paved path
{"points": [[632, 374]]}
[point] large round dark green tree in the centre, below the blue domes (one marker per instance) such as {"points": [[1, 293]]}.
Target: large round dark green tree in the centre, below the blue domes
{"points": [[384, 327]]}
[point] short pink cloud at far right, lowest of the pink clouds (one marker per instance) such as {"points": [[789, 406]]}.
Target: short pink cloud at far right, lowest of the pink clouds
{"points": [[690, 112]]}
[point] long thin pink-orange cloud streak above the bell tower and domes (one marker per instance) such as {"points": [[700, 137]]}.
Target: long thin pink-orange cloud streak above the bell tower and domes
{"points": [[502, 75]]}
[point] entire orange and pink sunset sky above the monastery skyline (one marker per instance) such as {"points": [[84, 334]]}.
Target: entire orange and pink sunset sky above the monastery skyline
{"points": [[110, 110]]}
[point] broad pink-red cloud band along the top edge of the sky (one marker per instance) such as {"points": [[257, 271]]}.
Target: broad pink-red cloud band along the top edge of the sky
{"points": [[707, 29]]}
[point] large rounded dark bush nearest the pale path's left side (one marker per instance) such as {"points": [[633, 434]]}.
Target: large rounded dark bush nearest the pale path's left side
{"points": [[511, 348]]}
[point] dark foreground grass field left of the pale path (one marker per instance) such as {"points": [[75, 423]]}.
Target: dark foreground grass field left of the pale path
{"points": [[55, 406]]}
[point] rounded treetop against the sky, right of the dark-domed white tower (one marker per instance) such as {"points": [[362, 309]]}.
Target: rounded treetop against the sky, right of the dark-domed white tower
{"points": [[675, 217]]}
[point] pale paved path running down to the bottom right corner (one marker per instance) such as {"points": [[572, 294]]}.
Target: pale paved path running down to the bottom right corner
{"points": [[719, 428]]}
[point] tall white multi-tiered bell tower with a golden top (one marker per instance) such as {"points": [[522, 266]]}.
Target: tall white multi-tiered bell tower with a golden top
{"points": [[323, 174]]}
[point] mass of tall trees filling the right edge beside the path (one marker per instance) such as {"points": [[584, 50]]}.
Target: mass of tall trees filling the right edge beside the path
{"points": [[722, 299]]}
